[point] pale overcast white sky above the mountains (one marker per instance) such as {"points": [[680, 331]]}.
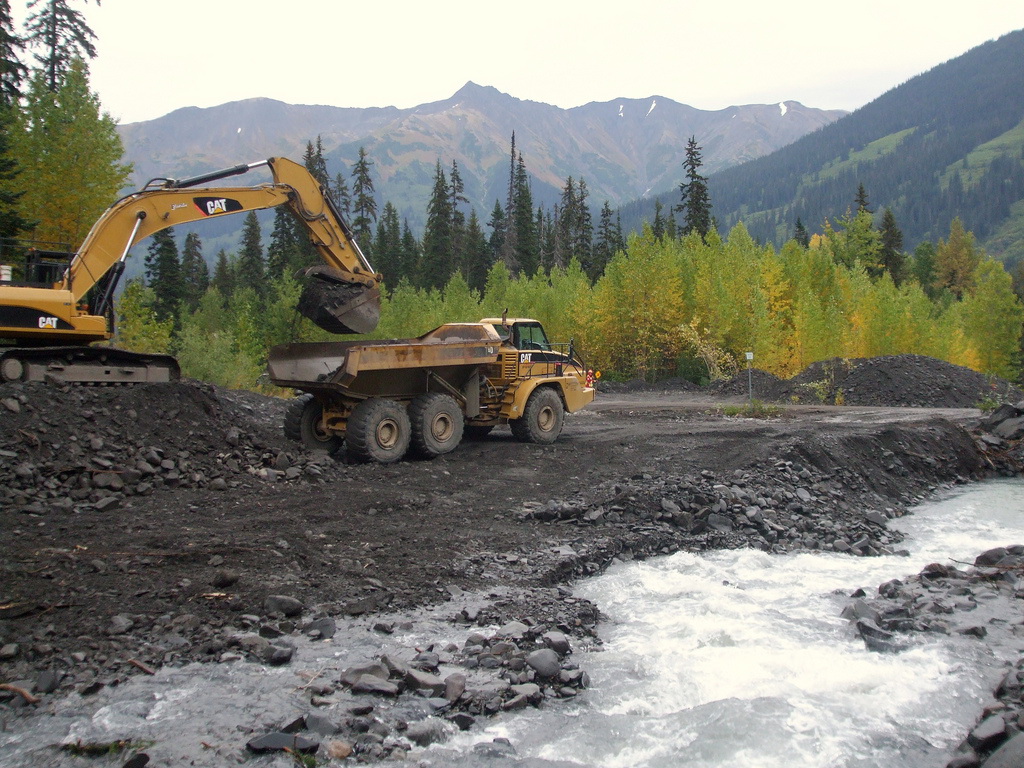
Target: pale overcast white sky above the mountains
{"points": [[157, 58]]}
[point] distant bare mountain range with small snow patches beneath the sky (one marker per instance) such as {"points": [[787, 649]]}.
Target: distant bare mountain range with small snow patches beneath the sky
{"points": [[623, 149]]}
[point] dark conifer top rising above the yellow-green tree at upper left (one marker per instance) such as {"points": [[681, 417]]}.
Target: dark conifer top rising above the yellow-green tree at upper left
{"points": [[62, 35]]}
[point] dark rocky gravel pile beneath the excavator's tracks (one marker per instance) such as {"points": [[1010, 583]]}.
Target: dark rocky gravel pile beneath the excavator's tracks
{"points": [[81, 449]]}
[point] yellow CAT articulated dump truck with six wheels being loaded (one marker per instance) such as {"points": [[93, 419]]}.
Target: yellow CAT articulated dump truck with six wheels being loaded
{"points": [[385, 399]]}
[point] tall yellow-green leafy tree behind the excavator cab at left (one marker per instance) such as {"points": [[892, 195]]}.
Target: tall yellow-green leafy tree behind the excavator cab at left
{"points": [[72, 152]]}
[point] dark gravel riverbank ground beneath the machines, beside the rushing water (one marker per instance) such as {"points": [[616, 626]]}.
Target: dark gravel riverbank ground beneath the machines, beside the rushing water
{"points": [[157, 527]]}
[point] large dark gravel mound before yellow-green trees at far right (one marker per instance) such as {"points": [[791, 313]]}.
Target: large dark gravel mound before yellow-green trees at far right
{"points": [[903, 380]]}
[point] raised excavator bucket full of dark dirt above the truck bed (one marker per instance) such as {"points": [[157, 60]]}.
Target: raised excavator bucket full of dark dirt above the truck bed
{"points": [[337, 305]]}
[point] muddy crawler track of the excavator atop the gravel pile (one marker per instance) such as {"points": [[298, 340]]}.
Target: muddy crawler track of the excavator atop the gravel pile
{"points": [[83, 365]]}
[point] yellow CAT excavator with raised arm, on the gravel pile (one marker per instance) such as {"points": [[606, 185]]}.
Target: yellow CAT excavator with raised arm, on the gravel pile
{"points": [[56, 305]]}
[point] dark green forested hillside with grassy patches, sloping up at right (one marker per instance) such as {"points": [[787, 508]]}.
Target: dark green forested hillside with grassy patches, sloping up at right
{"points": [[948, 144]]}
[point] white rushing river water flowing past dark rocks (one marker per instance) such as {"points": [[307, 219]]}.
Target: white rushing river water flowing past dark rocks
{"points": [[726, 660]]}
